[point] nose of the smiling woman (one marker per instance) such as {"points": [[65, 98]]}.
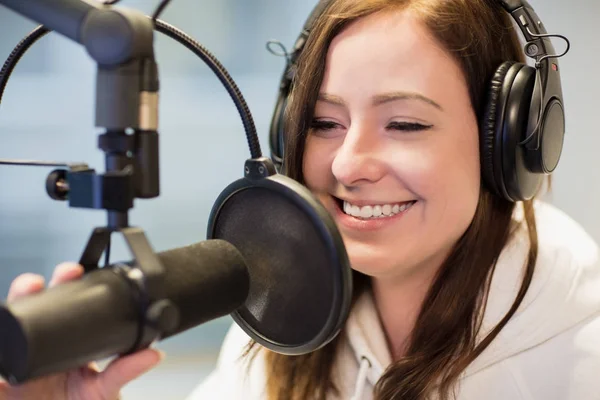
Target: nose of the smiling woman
{"points": [[358, 160]]}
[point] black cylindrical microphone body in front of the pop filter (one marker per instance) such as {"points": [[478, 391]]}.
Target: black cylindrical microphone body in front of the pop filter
{"points": [[98, 316]]}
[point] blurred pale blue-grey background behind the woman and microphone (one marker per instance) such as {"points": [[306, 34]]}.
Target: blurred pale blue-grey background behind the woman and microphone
{"points": [[47, 113]]}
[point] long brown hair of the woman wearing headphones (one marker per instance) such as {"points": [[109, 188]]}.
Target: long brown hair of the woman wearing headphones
{"points": [[444, 340]]}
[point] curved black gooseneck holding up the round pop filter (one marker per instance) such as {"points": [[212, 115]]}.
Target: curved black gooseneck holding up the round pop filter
{"points": [[182, 38]]}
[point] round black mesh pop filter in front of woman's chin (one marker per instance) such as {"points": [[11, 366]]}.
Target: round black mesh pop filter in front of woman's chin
{"points": [[300, 276]]}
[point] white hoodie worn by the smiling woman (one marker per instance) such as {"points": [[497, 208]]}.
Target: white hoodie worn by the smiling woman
{"points": [[549, 350]]}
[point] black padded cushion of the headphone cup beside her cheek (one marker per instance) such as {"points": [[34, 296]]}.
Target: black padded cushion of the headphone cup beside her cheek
{"points": [[490, 131]]}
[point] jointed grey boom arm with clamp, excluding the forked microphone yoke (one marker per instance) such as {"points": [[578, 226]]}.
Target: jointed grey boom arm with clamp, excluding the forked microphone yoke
{"points": [[121, 41]]}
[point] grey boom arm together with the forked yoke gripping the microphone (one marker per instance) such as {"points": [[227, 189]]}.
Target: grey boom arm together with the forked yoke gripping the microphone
{"points": [[121, 41]]}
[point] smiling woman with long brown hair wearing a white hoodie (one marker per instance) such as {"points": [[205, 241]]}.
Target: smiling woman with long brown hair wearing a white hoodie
{"points": [[459, 291]]}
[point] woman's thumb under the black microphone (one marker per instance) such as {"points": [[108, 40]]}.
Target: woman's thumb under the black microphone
{"points": [[123, 370]]}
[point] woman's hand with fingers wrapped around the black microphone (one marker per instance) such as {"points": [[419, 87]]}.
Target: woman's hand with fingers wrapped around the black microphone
{"points": [[85, 383]]}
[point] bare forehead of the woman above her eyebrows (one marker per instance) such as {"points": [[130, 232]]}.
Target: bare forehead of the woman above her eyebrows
{"points": [[385, 50]]}
